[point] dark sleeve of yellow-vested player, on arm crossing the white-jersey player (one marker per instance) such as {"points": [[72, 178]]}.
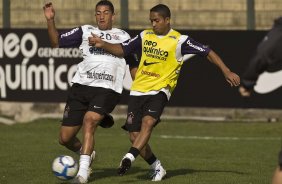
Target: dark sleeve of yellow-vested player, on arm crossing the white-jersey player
{"points": [[133, 45]]}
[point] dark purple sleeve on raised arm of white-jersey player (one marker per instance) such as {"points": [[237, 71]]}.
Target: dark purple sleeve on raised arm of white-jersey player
{"points": [[71, 38]]}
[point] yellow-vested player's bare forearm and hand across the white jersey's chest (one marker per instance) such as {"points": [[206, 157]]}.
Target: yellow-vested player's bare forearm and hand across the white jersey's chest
{"points": [[97, 42]]}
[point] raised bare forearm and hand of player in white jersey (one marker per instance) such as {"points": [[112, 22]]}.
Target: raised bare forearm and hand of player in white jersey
{"points": [[49, 13]]}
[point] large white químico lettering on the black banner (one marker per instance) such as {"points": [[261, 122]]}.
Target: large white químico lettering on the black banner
{"points": [[31, 77]]}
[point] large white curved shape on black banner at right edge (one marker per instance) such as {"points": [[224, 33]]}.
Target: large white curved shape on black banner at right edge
{"points": [[268, 82]]}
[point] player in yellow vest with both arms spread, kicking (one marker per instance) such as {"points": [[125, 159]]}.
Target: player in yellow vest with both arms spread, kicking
{"points": [[161, 50]]}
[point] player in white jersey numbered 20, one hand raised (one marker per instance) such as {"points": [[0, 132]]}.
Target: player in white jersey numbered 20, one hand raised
{"points": [[97, 83]]}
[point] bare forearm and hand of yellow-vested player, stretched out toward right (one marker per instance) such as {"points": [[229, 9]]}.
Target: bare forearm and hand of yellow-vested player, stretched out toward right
{"points": [[232, 78]]}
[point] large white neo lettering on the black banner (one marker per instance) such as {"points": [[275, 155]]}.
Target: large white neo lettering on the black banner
{"points": [[11, 45]]}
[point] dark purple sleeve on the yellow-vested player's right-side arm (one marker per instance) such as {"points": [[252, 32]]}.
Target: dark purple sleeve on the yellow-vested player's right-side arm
{"points": [[189, 46]]}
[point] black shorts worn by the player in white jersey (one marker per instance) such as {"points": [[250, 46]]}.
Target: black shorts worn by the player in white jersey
{"points": [[83, 98]]}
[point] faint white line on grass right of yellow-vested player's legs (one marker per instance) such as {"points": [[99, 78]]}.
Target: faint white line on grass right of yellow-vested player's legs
{"points": [[221, 138]]}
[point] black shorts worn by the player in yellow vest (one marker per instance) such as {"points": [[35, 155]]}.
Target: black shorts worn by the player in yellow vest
{"points": [[140, 106]]}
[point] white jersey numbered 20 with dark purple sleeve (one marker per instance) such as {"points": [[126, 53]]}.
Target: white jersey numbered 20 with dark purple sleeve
{"points": [[98, 68]]}
